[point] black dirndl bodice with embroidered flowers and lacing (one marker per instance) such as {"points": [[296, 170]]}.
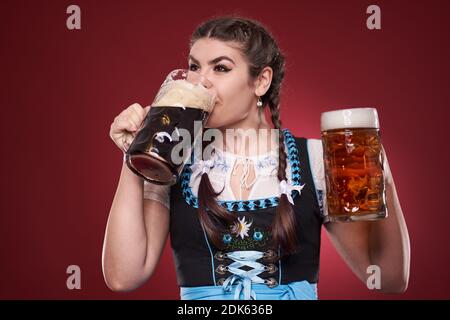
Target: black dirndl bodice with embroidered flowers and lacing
{"points": [[199, 263]]}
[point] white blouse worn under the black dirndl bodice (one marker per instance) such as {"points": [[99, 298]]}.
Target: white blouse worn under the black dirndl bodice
{"points": [[264, 185]]}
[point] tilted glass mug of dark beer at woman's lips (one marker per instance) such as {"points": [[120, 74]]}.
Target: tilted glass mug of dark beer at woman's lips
{"points": [[185, 97]]}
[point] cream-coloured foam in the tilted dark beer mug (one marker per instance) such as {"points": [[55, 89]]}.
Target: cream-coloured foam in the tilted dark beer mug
{"points": [[181, 93]]}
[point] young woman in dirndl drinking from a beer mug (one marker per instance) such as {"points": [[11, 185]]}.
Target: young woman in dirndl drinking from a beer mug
{"points": [[244, 224]]}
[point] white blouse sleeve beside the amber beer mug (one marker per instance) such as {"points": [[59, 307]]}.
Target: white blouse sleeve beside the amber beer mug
{"points": [[315, 154]]}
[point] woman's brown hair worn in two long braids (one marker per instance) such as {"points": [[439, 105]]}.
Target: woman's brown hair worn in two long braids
{"points": [[261, 50]]}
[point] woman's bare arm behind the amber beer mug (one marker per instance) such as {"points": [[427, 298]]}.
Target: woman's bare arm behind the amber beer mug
{"points": [[384, 243]]}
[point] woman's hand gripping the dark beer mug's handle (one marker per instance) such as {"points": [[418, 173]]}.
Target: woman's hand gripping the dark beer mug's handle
{"points": [[125, 125]]}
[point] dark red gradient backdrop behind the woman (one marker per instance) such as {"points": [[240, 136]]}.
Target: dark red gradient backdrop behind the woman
{"points": [[61, 89]]}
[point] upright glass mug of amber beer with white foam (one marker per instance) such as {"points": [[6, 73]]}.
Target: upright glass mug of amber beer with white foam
{"points": [[353, 164]]}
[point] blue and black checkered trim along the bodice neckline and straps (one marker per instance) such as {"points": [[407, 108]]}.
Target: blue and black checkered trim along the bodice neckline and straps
{"points": [[248, 205]]}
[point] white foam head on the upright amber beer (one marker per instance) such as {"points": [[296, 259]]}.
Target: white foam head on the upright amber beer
{"points": [[349, 118]]}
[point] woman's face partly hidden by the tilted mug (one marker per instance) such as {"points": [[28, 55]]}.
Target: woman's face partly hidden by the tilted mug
{"points": [[227, 69]]}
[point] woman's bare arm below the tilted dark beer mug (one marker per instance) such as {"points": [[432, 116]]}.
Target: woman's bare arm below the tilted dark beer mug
{"points": [[135, 235]]}
